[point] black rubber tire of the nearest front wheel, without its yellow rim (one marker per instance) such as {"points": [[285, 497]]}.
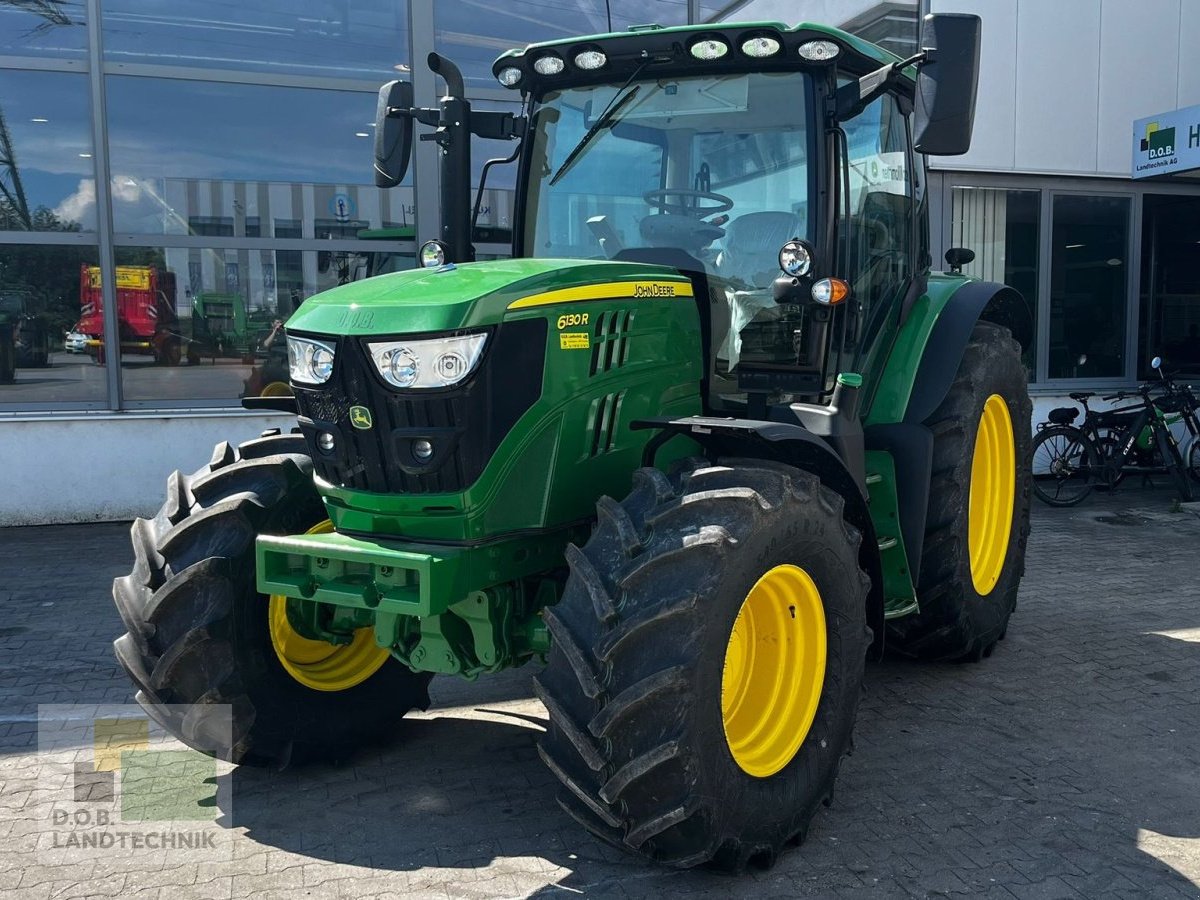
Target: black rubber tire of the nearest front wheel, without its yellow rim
{"points": [[622, 686]]}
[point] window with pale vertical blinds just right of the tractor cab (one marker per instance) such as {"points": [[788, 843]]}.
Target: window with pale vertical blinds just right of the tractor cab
{"points": [[1001, 226]]}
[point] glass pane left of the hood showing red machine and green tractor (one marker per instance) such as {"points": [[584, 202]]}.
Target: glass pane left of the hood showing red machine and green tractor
{"points": [[206, 325]]}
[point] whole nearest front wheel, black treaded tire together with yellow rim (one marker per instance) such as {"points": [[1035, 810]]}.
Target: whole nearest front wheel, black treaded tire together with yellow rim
{"points": [[638, 671]]}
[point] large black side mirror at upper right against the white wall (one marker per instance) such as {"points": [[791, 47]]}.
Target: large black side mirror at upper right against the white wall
{"points": [[946, 85]]}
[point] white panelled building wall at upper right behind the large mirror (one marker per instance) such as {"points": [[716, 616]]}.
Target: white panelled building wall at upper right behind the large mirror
{"points": [[1061, 82]]}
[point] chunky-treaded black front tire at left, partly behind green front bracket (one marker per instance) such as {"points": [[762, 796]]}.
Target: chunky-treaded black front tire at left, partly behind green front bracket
{"points": [[199, 629]]}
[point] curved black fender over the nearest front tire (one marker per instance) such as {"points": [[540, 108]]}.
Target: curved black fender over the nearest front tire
{"points": [[793, 446]]}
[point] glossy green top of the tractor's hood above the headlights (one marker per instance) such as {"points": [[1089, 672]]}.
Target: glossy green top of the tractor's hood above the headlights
{"points": [[458, 297]]}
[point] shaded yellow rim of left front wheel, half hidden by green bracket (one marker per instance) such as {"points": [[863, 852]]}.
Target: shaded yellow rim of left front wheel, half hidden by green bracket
{"points": [[316, 664]]}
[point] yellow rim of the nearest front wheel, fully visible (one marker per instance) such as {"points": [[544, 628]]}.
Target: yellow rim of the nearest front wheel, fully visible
{"points": [[775, 670]]}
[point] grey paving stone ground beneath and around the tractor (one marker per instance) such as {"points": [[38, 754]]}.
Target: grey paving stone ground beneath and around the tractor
{"points": [[1066, 766]]}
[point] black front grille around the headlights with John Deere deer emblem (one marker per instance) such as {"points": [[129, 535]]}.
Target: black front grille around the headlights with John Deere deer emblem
{"points": [[464, 424]]}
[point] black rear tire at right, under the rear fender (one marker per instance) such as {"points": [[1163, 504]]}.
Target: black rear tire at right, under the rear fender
{"points": [[957, 622]]}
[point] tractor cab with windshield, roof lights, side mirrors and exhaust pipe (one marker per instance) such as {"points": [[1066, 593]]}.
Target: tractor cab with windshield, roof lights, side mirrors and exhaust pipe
{"points": [[772, 166]]}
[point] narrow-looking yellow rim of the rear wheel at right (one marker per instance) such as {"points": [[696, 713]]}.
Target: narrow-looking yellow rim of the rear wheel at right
{"points": [[993, 493]]}
